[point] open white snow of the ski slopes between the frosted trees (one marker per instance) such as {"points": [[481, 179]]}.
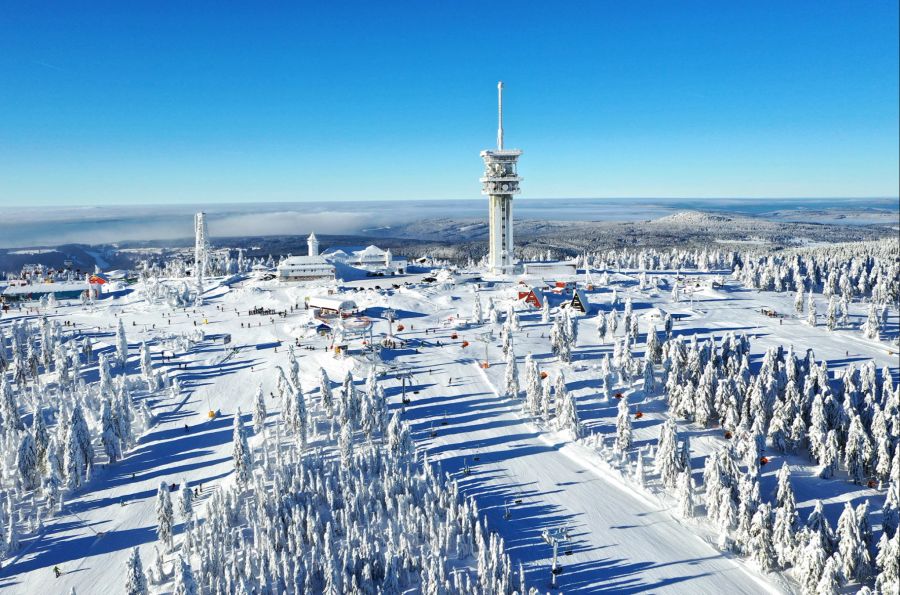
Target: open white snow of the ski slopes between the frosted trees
{"points": [[526, 478]]}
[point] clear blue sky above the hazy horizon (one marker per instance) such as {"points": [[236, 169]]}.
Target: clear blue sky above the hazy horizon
{"points": [[169, 102]]}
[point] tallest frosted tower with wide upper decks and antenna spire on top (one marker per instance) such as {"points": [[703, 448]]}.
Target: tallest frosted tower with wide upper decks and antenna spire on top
{"points": [[500, 182]]}
